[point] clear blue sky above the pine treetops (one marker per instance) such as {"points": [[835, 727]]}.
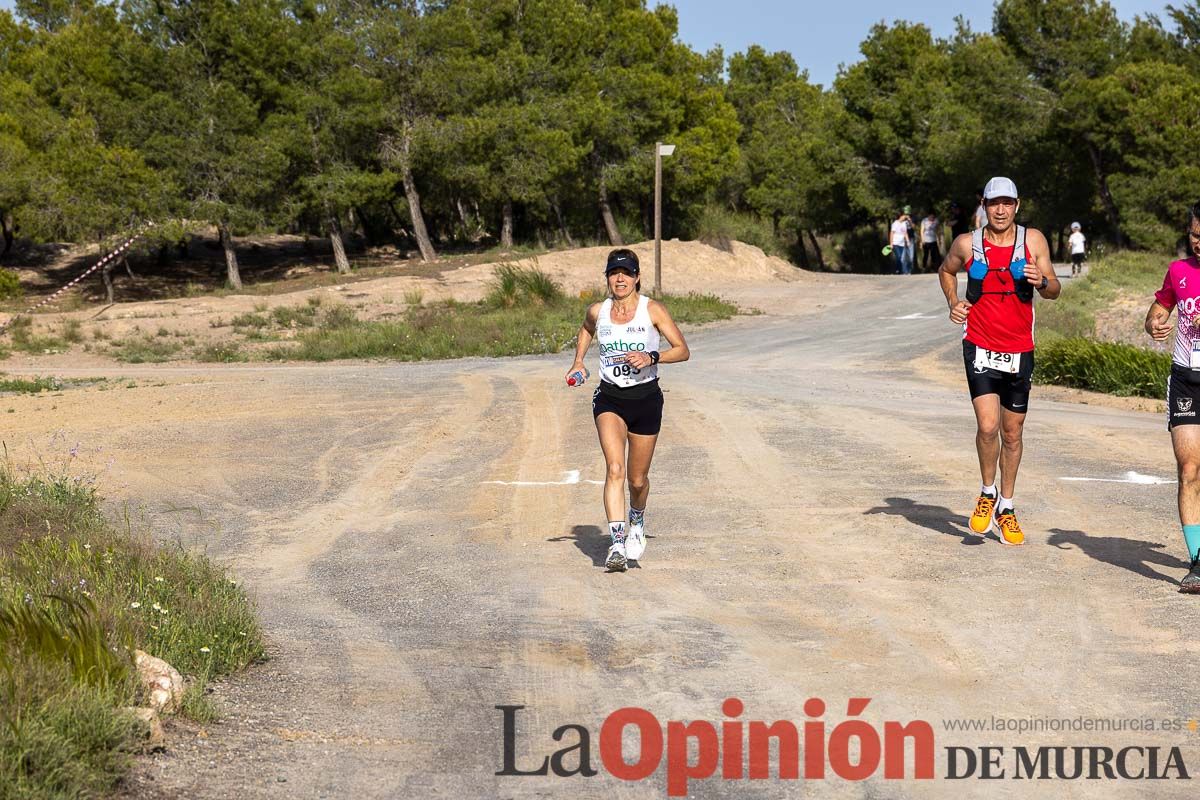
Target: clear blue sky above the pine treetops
{"points": [[824, 34]]}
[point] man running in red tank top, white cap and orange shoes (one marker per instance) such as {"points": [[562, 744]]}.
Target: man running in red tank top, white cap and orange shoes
{"points": [[1005, 264]]}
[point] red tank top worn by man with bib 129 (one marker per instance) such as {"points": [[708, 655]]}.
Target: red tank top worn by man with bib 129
{"points": [[1000, 322]]}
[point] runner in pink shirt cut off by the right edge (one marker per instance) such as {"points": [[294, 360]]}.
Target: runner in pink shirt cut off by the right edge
{"points": [[1181, 292]]}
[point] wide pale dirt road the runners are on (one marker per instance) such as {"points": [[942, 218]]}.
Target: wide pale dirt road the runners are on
{"points": [[808, 521]]}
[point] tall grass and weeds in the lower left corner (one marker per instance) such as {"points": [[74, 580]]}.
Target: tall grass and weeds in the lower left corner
{"points": [[77, 594]]}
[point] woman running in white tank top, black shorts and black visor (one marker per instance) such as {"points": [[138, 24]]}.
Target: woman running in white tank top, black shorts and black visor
{"points": [[628, 404]]}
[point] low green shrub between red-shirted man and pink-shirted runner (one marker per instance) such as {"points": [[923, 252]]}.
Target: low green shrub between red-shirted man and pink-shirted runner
{"points": [[1103, 366]]}
